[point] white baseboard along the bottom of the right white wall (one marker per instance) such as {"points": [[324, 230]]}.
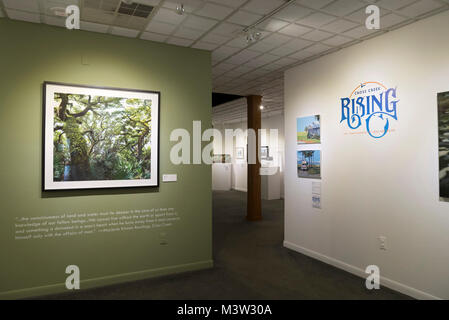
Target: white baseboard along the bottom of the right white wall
{"points": [[394, 285]]}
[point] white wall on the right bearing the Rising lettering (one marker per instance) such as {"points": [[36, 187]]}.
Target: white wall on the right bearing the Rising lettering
{"points": [[373, 187]]}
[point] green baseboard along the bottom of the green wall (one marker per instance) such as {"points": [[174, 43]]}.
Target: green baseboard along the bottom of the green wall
{"points": [[105, 281]]}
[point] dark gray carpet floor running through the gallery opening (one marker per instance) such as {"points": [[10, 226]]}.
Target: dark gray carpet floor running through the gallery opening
{"points": [[250, 263]]}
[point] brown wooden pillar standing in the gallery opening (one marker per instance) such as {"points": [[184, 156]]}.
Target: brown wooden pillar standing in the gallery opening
{"points": [[254, 204]]}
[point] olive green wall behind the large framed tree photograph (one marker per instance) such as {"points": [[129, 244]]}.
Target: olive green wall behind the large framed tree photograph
{"points": [[31, 54]]}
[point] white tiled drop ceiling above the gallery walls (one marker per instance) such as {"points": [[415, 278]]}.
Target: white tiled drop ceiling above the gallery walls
{"points": [[304, 30]]}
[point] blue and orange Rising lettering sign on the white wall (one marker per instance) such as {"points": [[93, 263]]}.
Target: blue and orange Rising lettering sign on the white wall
{"points": [[372, 105]]}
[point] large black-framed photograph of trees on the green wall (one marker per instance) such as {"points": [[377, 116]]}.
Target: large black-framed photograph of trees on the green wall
{"points": [[99, 137]]}
